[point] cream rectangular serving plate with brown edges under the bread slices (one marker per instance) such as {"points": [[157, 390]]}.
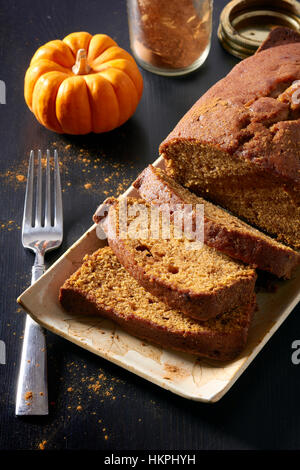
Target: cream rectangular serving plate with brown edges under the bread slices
{"points": [[186, 375]]}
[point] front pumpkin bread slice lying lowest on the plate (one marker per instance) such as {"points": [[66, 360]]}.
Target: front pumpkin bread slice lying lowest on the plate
{"points": [[103, 287]]}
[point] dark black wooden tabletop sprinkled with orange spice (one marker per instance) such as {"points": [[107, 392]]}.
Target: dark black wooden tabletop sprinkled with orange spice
{"points": [[261, 411]]}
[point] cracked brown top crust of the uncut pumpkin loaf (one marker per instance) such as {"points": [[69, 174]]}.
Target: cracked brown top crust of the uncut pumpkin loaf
{"points": [[242, 115]]}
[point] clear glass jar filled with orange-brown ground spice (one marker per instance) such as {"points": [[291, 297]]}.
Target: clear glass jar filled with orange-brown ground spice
{"points": [[170, 37]]}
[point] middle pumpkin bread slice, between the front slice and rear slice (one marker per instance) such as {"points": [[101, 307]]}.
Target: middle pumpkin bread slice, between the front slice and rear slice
{"points": [[195, 279]]}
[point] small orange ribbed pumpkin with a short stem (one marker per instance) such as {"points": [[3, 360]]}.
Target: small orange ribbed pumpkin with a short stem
{"points": [[82, 84]]}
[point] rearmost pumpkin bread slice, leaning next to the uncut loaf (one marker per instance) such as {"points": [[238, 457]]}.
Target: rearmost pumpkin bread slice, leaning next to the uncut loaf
{"points": [[222, 230]]}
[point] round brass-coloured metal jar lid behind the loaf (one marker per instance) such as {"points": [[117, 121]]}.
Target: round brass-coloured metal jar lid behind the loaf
{"points": [[245, 24]]}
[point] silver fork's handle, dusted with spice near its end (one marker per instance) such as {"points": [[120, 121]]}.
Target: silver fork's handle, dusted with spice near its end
{"points": [[32, 390]]}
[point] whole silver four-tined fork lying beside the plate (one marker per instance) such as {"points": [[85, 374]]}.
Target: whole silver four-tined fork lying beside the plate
{"points": [[39, 236]]}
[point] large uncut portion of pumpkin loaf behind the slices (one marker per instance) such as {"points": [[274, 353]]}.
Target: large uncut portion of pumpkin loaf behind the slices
{"points": [[239, 145]]}
